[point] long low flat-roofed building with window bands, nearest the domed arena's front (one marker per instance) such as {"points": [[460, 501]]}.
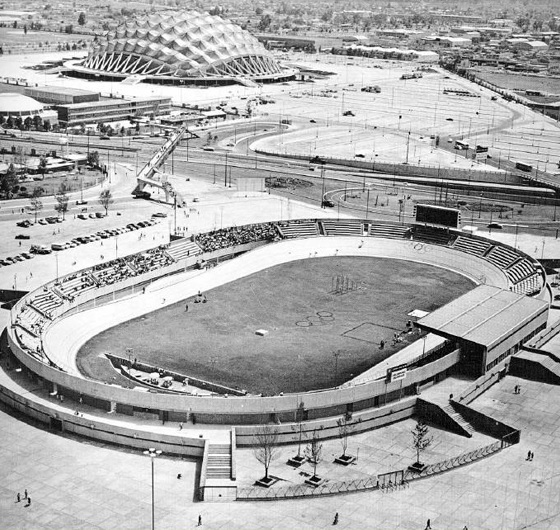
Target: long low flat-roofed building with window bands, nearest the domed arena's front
{"points": [[112, 110]]}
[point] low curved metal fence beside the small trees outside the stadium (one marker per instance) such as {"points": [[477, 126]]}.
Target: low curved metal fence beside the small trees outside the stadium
{"points": [[386, 482]]}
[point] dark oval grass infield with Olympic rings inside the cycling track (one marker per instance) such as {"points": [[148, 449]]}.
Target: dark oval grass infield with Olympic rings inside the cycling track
{"points": [[306, 321]]}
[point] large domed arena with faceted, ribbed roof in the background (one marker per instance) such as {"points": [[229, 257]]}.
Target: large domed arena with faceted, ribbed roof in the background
{"points": [[181, 48]]}
